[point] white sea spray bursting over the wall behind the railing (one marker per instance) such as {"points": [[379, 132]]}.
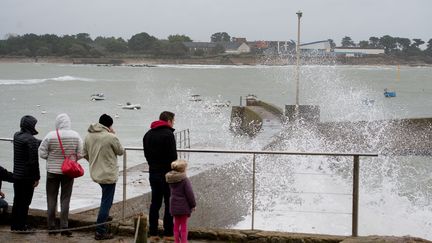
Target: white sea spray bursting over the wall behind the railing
{"points": [[313, 194]]}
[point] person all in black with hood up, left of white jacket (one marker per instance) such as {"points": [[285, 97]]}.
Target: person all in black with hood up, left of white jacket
{"points": [[26, 173]]}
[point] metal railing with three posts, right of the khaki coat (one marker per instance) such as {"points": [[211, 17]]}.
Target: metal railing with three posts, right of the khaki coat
{"points": [[254, 153]]}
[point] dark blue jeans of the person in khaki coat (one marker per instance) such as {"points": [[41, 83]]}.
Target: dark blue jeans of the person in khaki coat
{"points": [[106, 203]]}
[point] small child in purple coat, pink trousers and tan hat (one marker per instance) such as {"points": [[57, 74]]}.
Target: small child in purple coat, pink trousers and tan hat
{"points": [[182, 201]]}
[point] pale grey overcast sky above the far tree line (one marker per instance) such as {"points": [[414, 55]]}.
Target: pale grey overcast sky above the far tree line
{"points": [[199, 19]]}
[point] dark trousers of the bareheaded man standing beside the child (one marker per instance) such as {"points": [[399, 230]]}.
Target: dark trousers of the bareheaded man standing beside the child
{"points": [[160, 190]]}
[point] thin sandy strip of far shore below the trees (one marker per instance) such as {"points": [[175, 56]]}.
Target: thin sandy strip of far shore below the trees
{"points": [[218, 60]]}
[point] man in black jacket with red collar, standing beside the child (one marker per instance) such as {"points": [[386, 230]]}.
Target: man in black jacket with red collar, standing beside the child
{"points": [[160, 150]]}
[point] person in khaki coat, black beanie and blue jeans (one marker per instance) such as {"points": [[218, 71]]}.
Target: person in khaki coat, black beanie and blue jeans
{"points": [[101, 148]]}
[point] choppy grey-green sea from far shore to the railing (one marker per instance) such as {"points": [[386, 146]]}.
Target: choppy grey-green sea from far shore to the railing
{"points": [[310, 195]]}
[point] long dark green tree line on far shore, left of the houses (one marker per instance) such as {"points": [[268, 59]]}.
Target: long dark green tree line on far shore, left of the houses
{"points": [[82, 45]]}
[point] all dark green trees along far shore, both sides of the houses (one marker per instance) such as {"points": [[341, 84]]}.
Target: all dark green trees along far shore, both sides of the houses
{"points": [[82, 45]]}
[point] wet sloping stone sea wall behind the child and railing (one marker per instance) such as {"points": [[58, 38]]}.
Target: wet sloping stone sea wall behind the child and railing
{"points": [[223, 197]]}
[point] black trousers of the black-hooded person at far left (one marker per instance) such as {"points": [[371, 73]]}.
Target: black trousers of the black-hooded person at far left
{"points": [[23, 195]]}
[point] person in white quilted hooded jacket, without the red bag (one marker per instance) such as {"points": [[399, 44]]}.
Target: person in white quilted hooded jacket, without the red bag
{"points": [[51, 151]]}
